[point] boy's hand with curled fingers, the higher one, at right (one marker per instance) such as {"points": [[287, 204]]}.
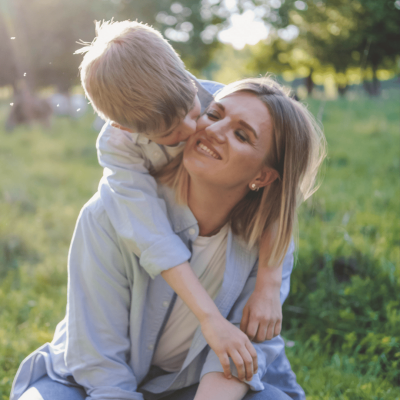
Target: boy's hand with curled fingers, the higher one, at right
{"points": [[262, 315]]}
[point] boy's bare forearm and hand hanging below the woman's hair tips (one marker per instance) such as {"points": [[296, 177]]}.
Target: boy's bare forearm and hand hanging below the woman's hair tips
{"points": [[262, 315]]}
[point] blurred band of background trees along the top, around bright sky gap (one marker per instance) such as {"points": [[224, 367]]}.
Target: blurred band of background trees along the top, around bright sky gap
{"points": [[339, 34]]}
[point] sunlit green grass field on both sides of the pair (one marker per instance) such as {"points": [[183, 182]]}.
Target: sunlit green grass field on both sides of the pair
{"points": [[342, 318]]}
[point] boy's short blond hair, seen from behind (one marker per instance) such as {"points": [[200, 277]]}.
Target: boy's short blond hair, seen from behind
{"points": [[133, 77]]}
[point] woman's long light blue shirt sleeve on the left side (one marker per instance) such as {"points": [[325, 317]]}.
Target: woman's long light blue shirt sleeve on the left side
{"points": [[97, 343]]}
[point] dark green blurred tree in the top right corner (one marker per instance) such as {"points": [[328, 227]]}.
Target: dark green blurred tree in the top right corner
{"points": [[340, 33]]}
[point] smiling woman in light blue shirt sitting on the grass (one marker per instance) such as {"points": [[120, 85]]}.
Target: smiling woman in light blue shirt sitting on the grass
{"points": [[254, 157]]}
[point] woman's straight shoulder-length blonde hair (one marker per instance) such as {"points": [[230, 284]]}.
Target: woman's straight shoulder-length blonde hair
{"points": [[297, 153]]}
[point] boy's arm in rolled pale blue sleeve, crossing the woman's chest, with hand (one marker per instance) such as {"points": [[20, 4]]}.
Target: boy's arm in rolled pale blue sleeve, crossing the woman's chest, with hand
{"points": [[139, 216]]}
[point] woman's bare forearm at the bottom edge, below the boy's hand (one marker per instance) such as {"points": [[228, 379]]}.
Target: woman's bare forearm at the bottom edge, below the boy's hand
{"points": [[214, 386]]}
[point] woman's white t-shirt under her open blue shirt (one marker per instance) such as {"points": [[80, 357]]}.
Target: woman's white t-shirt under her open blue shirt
{"points": [[208, 263]]}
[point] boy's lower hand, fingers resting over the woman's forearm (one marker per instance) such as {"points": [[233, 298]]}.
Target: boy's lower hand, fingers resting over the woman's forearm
{"points": [[229, 341]]}
